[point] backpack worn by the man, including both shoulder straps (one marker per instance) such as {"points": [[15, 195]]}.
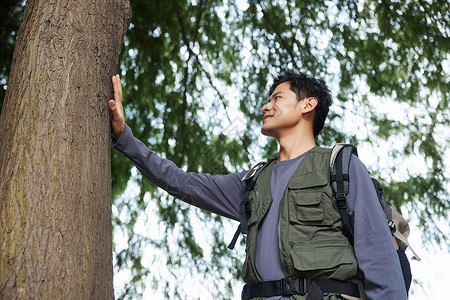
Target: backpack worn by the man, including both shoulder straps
{"points": [[339, 179]]}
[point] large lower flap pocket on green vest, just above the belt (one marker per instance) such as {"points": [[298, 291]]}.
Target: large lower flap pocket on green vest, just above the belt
{"points": [[332, 258]]}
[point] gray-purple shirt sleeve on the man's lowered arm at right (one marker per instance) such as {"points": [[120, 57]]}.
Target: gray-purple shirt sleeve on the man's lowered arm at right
{"points": [[374, 249]]}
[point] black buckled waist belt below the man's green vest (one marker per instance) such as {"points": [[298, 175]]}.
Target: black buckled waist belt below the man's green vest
{"points": [[315, 288]]}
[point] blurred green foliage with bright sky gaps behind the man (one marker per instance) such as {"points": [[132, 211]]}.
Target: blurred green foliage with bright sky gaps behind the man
{"points": [[387, 64]]}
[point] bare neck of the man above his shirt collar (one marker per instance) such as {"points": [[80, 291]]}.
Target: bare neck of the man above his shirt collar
{"points": [[294, 146]]}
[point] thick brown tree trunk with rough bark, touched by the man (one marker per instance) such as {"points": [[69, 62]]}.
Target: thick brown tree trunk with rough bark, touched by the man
{"points": [[55, 200]]}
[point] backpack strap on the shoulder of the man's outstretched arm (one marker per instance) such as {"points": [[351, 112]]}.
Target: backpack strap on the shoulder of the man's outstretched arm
{"points": [[244, 208]]}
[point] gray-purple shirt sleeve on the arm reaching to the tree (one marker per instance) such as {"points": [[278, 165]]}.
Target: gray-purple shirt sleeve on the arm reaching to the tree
{"points": [[219, 194]]}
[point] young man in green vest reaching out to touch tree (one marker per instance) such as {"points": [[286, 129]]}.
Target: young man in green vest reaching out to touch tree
{"points": [[296, 248]]}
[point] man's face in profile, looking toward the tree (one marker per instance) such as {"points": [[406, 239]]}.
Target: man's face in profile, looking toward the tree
{"points": [[283, 111]]}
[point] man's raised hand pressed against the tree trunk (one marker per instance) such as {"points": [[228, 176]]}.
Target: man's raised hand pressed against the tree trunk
{"points": [[116, 108]]}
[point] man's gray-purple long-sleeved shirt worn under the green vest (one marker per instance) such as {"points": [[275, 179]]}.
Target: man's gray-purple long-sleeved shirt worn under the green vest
{"points": [[222, 194]]}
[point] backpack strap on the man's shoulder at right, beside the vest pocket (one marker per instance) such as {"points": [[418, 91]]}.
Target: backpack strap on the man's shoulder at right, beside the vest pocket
{"points": [[340, 166]]}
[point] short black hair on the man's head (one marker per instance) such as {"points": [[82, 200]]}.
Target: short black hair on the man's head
{"points": [[306, 86]]}
